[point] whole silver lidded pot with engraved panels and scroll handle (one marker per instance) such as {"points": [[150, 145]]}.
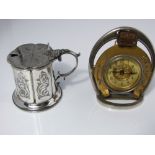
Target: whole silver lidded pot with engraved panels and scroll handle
{"points": [[36, 86]]}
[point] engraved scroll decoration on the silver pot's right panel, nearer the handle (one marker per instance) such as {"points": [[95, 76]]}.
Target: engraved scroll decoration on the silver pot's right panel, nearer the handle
{"points": [[43, 83]]}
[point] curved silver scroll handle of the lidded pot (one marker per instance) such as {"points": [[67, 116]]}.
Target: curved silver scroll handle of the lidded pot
{"points": [[59, 53]]}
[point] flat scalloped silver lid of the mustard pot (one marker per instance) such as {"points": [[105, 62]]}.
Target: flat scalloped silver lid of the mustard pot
{"points": [[29, 56]]}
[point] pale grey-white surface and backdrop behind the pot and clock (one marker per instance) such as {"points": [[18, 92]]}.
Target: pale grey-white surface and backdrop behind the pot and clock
{"points": [[78, 112]]}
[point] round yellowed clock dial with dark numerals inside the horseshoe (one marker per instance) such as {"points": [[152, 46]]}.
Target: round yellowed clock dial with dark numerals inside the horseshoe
{"points": [[122, 73]]}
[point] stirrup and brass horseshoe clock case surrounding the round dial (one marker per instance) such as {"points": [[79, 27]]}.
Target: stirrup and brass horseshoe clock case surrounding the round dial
{"points": [[126, 38]]}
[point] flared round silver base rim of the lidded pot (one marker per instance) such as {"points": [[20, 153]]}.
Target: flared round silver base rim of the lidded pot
{"points": [[40, 107]]}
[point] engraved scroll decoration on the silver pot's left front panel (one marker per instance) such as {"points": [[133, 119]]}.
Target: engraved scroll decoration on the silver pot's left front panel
{"points": [[22, 86]]}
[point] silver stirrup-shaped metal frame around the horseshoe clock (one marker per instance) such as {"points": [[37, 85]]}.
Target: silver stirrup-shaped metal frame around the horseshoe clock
{"points": [[109, 36]]}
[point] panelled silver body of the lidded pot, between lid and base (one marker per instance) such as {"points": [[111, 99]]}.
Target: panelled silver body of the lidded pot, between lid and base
{"points": [[35, 86]]}
